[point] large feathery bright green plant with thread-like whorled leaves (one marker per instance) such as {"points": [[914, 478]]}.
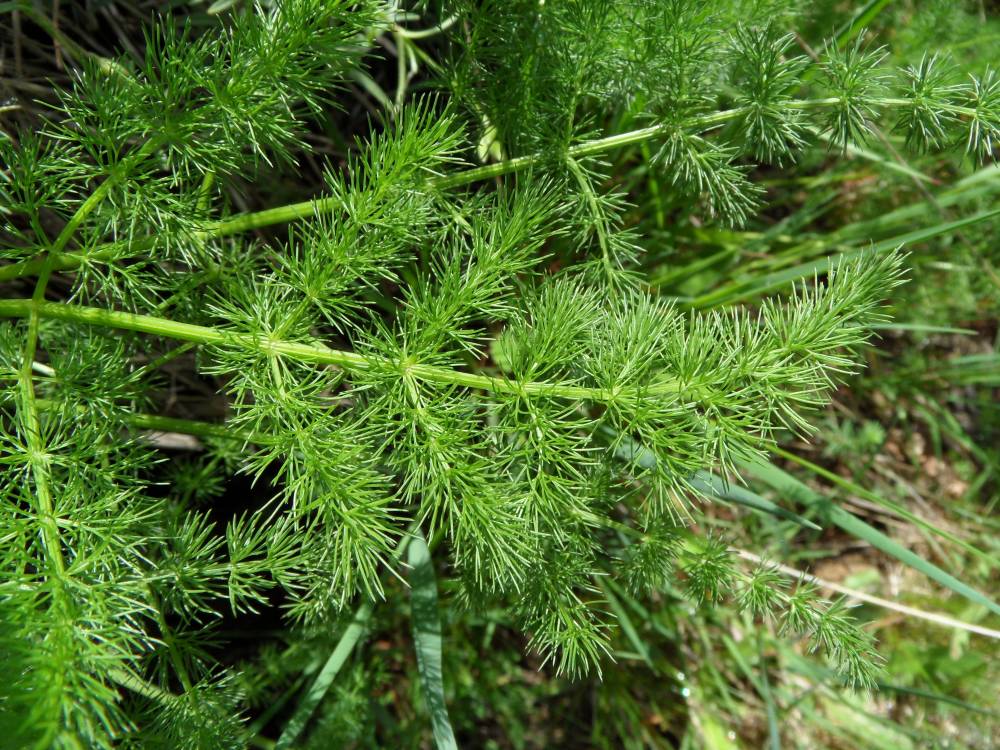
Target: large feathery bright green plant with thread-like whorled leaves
{"points": [[471, 349]]}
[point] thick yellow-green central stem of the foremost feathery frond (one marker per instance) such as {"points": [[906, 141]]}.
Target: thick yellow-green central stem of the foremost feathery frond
{"points": [[320, 354]]}
